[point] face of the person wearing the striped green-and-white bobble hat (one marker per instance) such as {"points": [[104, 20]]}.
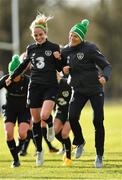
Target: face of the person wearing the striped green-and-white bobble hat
{"points": [[74, 39]]}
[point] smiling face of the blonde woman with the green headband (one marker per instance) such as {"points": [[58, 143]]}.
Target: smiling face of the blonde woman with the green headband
{"points": [[39, 35]]}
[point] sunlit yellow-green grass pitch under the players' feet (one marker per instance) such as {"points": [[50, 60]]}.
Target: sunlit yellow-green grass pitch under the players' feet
{"points": [[82, 168]]}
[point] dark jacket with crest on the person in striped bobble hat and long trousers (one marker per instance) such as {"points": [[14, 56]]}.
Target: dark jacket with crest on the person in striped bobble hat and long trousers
{"points": [[86, 62]]}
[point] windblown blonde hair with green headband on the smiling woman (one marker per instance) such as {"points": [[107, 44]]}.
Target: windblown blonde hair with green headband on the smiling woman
{"points": [[40, 22]]}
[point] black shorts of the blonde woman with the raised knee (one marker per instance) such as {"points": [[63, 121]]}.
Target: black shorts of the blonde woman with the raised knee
{"points": [[38, 93]]}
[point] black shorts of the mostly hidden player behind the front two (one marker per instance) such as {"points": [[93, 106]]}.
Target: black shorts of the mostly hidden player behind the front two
{"points": [[62, 114]]}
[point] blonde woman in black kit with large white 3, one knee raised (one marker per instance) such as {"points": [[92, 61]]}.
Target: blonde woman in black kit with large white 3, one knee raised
{"points": [[43, 87]]}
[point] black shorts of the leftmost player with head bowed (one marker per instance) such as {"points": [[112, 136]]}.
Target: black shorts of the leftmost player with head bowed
{"points": [[13, 115]]}
